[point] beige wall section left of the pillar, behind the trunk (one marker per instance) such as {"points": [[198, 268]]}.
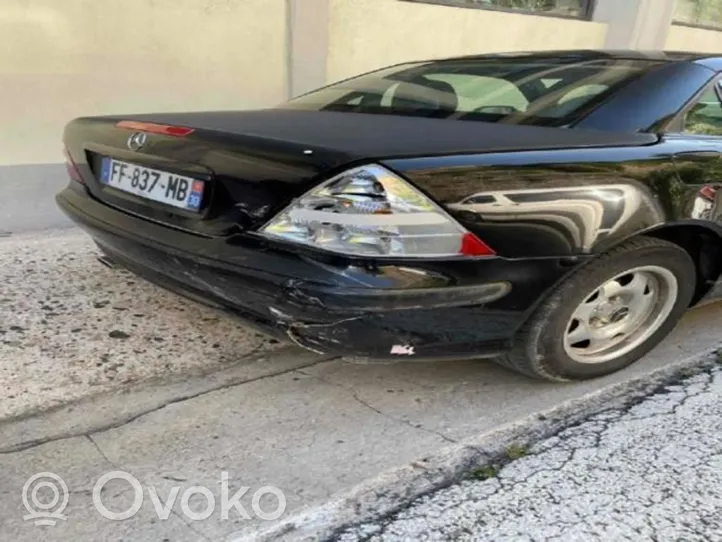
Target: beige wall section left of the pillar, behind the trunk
{"points": [[64, 58]]}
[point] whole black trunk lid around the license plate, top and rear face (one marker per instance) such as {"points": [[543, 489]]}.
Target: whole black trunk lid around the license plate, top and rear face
{"points": [[253, 163]]}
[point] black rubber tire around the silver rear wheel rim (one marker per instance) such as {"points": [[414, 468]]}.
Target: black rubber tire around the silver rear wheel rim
{"points": [[538, 348]]}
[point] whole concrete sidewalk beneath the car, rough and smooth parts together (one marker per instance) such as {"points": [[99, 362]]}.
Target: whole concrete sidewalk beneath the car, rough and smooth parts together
{"points": [[268, 415]]}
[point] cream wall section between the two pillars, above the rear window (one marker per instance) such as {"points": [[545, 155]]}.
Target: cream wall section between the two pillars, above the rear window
{"points": [[368, 34]]}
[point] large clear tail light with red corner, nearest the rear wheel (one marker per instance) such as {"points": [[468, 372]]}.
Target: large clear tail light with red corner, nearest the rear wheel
{"points": [[370, 211]]}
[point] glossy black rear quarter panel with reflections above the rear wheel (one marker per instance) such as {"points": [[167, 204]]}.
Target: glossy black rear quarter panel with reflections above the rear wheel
{"points": [[563, 202]]}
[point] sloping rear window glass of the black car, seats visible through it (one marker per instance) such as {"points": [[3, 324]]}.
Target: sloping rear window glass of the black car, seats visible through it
{"points": [[511, 89]]}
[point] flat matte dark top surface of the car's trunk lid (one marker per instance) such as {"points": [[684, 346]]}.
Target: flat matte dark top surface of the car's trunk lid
{"points": [[366, 136]]}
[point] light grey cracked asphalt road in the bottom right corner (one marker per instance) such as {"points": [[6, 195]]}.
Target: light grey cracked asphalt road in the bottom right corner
{"points": [[650, 472]]}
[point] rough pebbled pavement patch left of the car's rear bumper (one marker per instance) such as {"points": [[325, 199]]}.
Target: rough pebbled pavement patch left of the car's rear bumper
{"points": [[70, 327]]}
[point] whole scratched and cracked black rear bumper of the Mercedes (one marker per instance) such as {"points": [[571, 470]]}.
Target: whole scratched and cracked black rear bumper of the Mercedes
{"points": [[286, 294]]}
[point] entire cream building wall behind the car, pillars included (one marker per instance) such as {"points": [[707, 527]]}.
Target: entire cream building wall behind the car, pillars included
{"points": [[64, 58]]}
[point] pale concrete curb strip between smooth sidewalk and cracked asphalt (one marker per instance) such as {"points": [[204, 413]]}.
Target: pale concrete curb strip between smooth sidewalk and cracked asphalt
{"points": [[392, 490]]}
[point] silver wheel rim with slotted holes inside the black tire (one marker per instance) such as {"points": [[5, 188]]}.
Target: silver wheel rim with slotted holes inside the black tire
{"points": [[621, 314]]}
